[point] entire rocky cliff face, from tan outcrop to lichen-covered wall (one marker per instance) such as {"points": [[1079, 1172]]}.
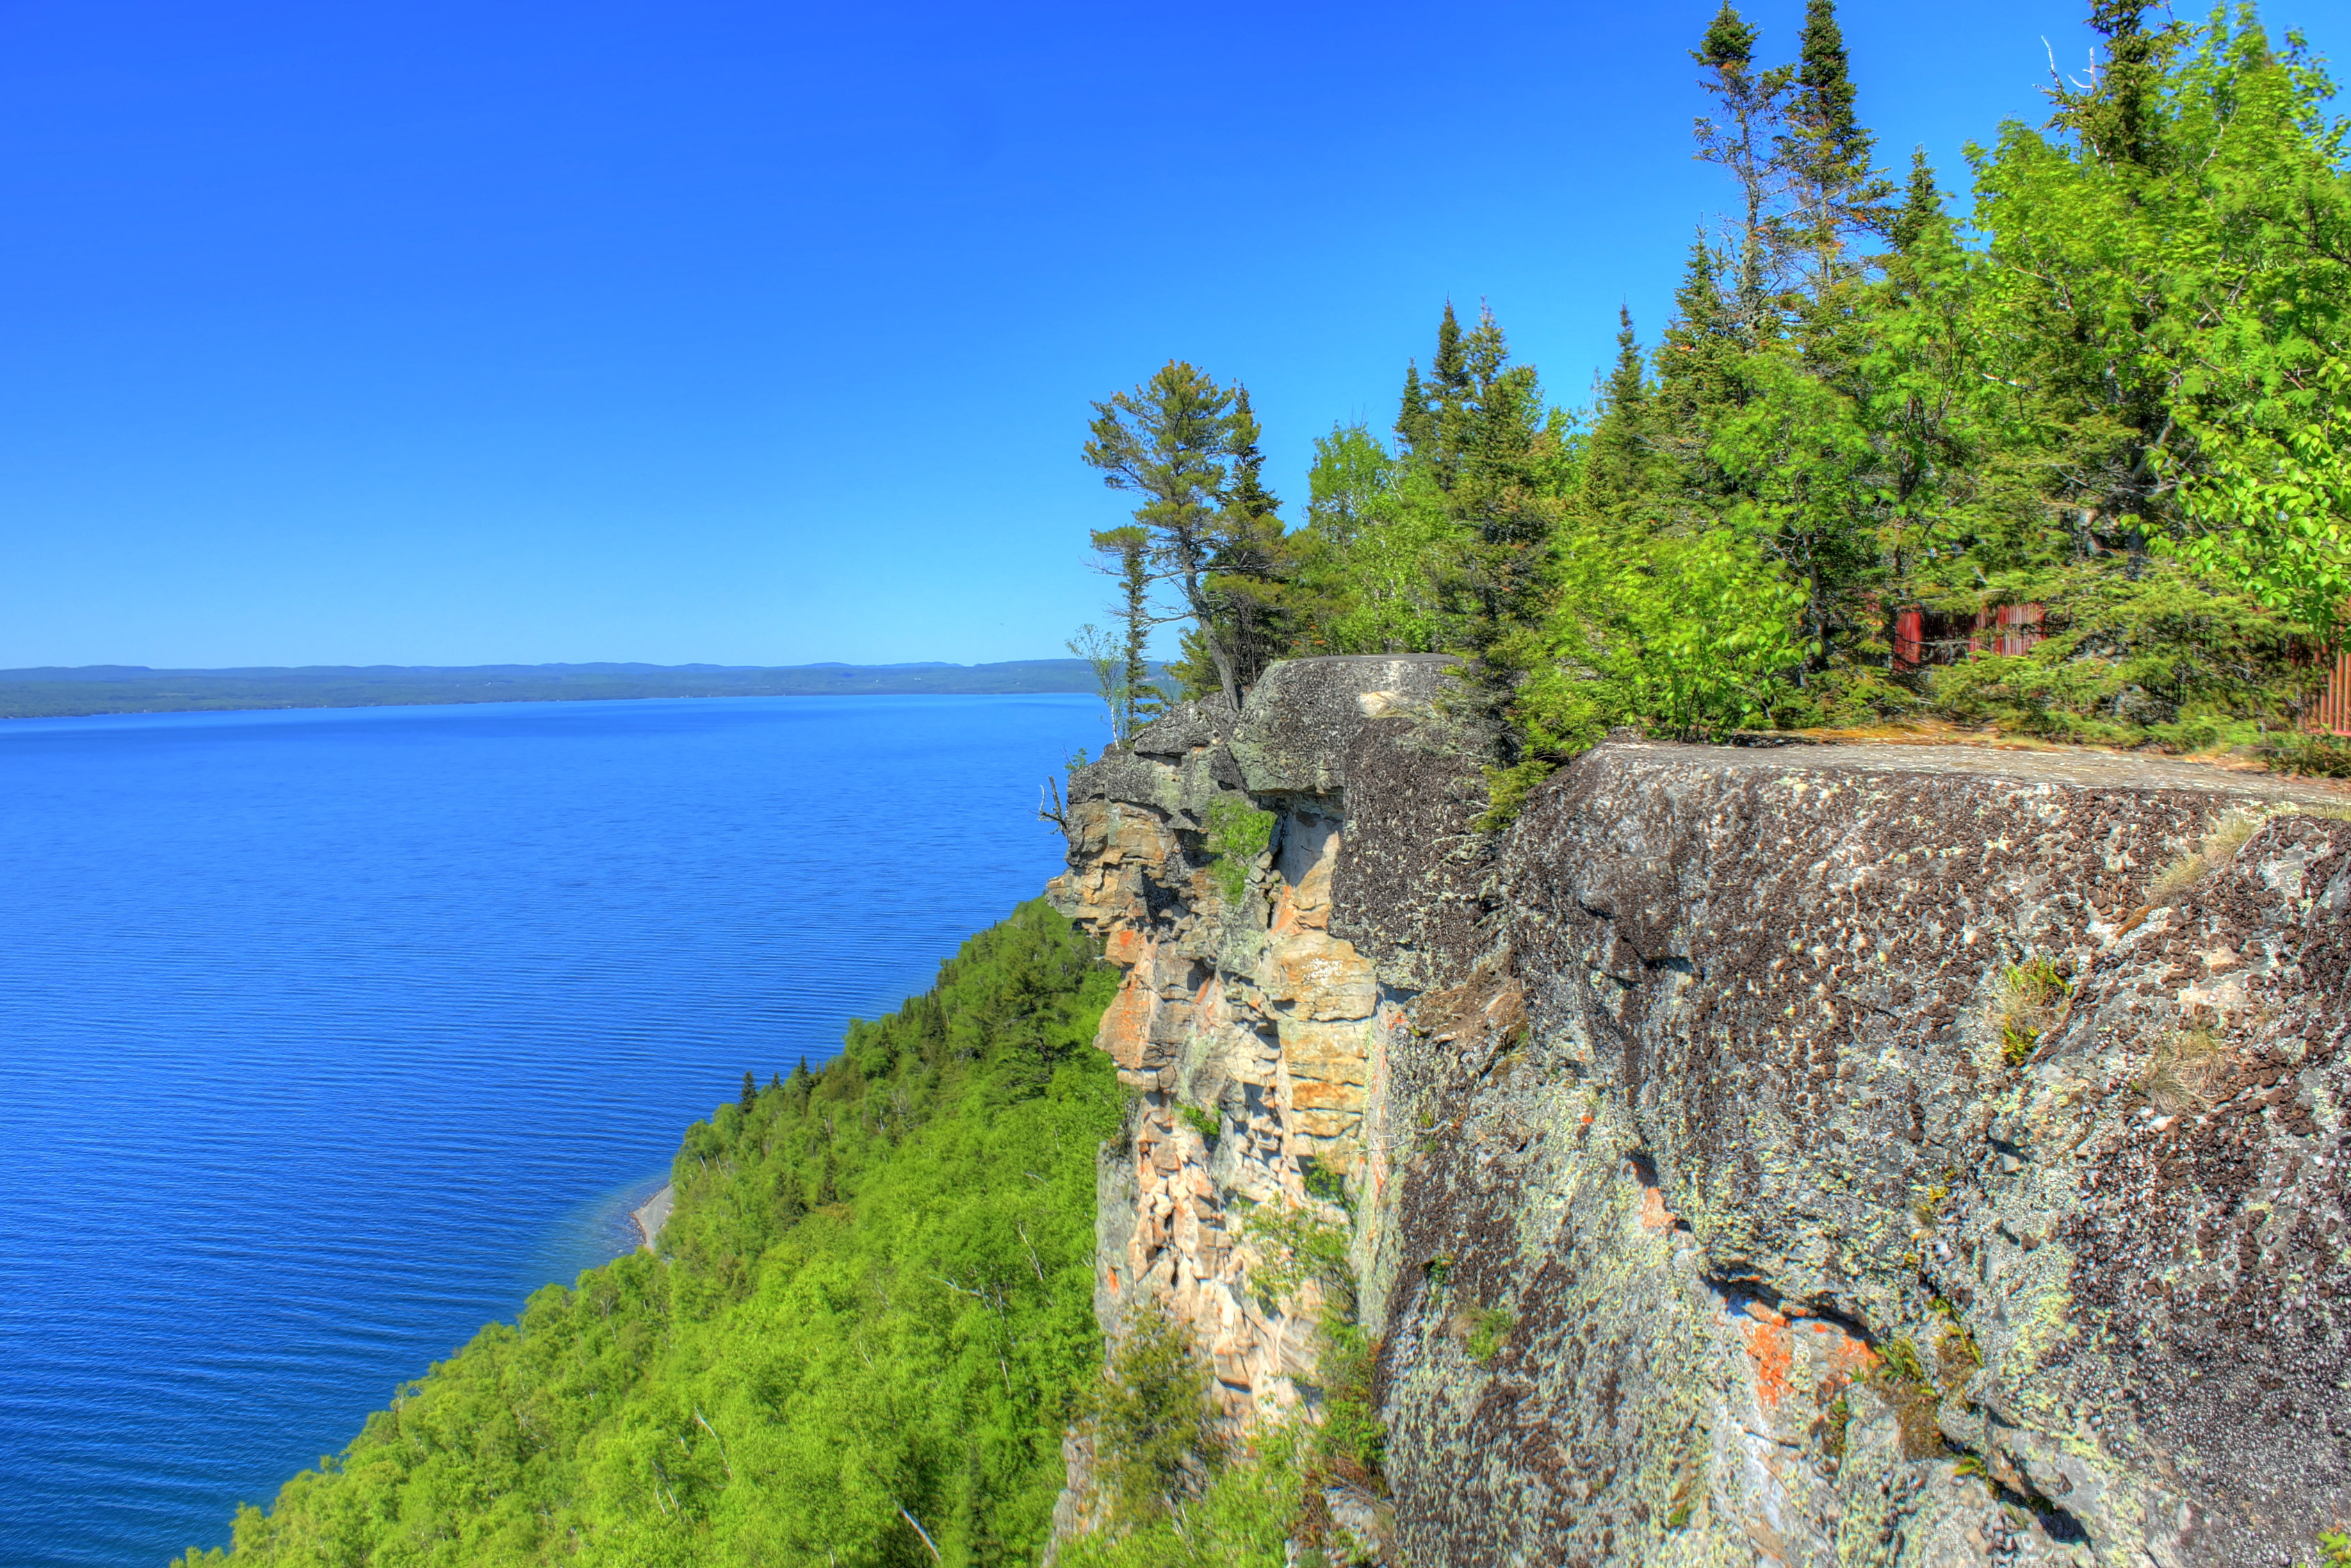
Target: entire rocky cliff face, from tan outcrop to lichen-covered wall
{"points": [[1804, 1155]]}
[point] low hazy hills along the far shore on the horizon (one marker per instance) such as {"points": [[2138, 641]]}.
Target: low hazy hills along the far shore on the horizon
{"points": [[58, 692]]}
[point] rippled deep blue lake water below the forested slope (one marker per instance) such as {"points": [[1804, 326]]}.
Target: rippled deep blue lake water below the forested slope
{"points": [[330, 1036]]}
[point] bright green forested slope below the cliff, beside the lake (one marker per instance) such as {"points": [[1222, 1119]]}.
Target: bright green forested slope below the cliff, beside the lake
{"points": [[871, 1311]]}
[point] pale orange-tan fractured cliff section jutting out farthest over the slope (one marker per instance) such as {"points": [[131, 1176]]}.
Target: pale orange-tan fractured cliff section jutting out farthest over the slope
{"points": [[1238, 1007]]}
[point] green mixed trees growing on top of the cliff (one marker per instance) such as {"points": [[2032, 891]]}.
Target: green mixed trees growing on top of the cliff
{"points": [[2070, 460]]}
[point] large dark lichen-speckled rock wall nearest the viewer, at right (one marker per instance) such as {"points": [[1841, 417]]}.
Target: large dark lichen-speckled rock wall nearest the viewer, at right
{"points": [[1748, 1158]]}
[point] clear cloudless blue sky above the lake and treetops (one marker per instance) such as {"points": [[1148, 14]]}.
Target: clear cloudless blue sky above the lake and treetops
{"points": [[504, 330]]}
